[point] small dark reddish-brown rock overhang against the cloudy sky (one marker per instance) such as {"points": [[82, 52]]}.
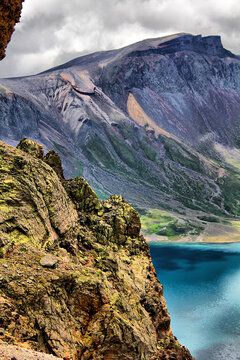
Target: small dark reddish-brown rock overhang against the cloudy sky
{"points": [[10, 11]]}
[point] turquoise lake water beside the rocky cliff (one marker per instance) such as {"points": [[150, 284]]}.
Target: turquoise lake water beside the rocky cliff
{"points": [[202, 289]]}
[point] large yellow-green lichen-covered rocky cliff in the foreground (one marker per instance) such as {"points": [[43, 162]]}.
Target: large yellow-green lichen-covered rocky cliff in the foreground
{"points": [[76, 277]]}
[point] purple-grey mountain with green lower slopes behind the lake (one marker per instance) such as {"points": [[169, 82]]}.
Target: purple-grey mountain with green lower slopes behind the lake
{"points": [[156, 121]]}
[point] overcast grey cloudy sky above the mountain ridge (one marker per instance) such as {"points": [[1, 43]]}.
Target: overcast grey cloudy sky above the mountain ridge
{"points": [[52, 32]]}
